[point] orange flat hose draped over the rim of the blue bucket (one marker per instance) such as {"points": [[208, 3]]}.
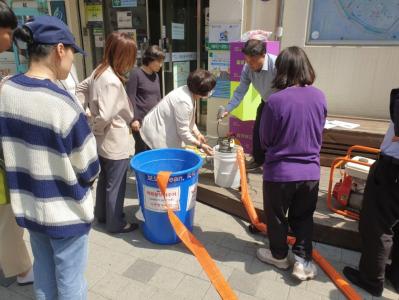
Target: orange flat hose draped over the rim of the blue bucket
{"points": [[195, 246]]}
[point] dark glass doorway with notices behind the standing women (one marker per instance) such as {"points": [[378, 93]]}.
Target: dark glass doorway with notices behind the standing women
{"points": [[177, 26]]}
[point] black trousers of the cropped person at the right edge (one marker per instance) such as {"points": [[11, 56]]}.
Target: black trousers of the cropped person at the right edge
{"points": [[379, 219]]}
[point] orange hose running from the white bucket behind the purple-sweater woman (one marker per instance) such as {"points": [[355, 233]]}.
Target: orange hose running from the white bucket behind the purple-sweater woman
{"points": [[338, 280]]}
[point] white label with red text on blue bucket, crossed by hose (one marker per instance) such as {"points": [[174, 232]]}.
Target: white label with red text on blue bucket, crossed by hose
{"points": [[153, 199]]}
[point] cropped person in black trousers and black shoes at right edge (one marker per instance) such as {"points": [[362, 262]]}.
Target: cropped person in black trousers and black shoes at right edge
{"points": [[379, 222]]}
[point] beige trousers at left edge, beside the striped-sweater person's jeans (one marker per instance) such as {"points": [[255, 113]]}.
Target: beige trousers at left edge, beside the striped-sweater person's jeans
{"points": [[14, 257]]}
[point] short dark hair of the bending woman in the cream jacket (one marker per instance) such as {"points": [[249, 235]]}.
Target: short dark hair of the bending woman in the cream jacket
{"points": [[201, 82]]}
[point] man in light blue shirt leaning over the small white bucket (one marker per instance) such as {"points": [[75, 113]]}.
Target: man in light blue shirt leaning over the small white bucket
{"points": [[259, 70]]}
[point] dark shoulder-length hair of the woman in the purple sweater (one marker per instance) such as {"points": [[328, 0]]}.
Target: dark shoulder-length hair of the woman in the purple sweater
{"points": [[293, 68]]}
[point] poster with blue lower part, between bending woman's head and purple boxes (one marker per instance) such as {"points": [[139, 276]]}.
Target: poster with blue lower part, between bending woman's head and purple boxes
{"points": [[219, 66]]}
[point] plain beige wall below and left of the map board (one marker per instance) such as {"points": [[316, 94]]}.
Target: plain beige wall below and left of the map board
{"points": [[357, 80]]}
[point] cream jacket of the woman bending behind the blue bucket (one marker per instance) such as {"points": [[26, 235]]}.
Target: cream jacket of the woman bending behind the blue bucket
{"points": [[171, 123]]}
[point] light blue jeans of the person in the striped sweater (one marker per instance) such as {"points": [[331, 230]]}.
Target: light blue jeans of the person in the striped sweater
{"points": [[59, 266]]}
